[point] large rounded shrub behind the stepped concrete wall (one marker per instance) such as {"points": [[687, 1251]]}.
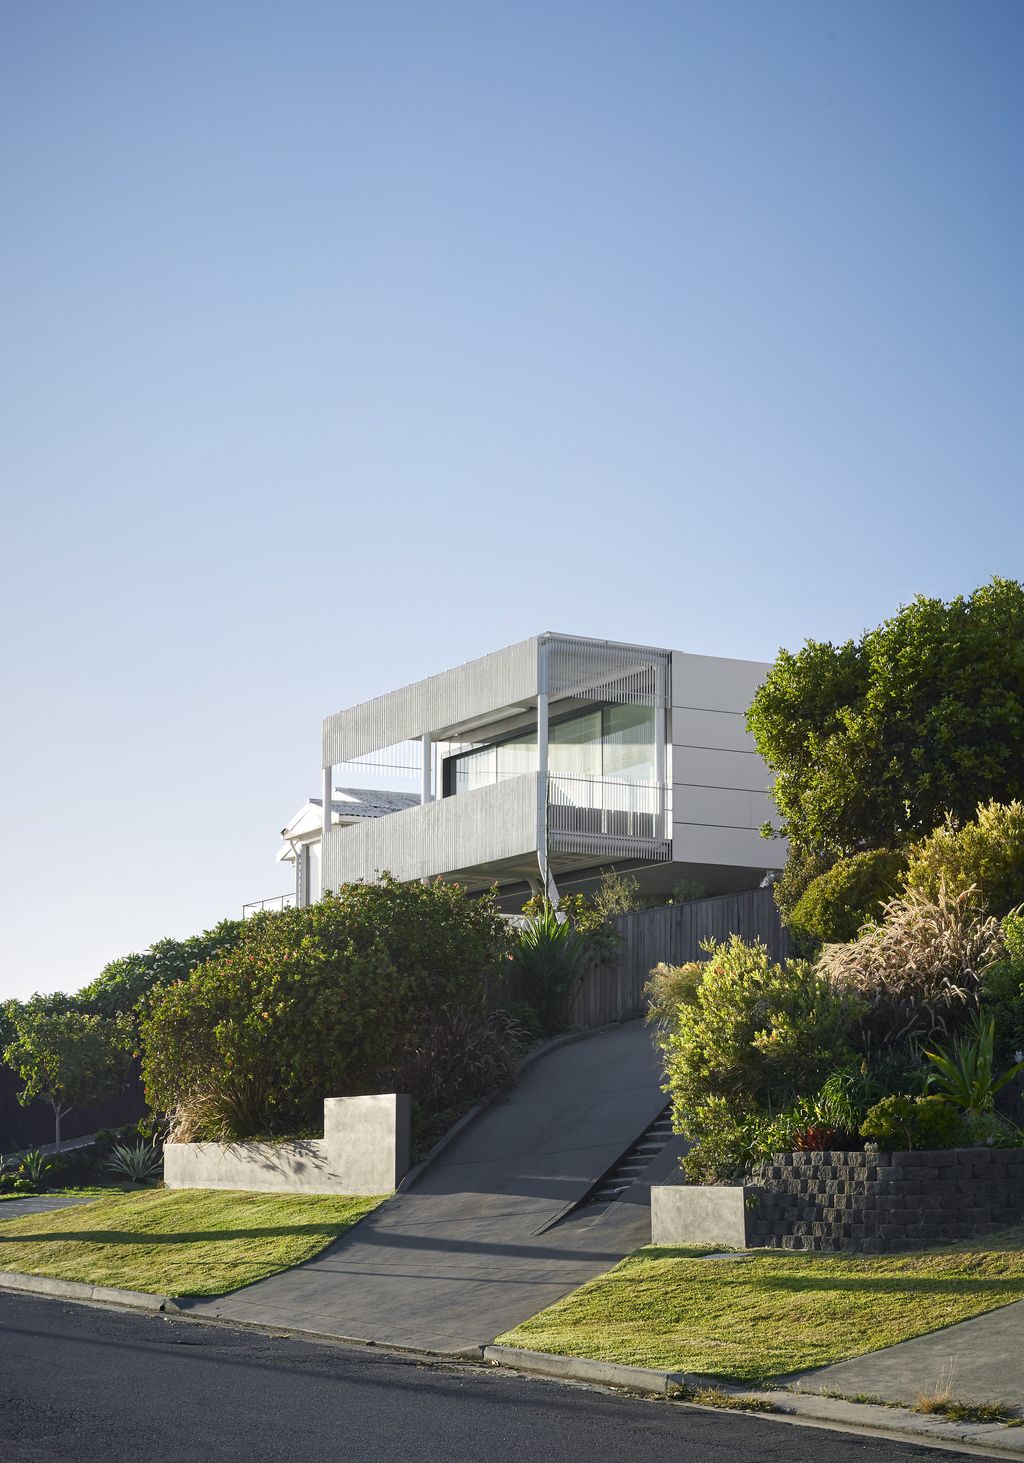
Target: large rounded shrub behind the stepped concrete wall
{"points": [[315, 1001]]}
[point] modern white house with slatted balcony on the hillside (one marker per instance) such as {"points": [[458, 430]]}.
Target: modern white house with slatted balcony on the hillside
{"points": [[551, 761]]}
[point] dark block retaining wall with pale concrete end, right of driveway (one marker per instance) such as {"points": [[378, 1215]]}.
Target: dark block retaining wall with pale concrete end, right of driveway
{"points": [[861, 1202]]}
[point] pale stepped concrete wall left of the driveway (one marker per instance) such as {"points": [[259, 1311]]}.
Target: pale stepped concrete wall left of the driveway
{"points": [[365, 1151]]}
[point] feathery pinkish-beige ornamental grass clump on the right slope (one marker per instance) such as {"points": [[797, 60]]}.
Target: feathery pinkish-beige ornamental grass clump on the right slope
{"points": [[921, 969]]}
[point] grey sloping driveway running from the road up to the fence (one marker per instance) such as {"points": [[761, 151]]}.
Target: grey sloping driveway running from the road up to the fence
{"points": [[476, 1246]]}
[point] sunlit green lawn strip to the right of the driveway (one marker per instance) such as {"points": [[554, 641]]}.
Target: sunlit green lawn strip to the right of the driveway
{"points": [[776, 1313]]}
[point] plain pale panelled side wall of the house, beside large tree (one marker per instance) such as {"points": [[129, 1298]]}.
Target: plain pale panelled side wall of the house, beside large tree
{"points": [[719, 783]]}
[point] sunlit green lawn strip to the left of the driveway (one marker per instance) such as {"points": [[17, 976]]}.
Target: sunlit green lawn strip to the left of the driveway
{"points": [[178, 1241]]}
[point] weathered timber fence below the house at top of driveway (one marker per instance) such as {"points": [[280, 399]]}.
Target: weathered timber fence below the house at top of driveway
{"points": [[614, 991]]}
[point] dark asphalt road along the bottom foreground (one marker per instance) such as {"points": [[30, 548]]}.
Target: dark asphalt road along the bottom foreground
{"points": [[96, 1386]]}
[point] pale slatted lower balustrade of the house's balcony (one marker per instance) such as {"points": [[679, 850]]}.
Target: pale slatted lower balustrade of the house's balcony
{"points": [[491, 833]]}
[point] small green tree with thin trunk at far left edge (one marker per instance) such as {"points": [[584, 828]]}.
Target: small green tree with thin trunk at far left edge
{"points": [[65, 1057]]}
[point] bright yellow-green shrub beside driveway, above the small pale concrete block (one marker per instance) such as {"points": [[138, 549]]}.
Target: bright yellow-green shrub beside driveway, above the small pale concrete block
{"points": [[751, 1034]]}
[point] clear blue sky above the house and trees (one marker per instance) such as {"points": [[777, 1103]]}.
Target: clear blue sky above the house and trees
{"points": [[345, 343]]}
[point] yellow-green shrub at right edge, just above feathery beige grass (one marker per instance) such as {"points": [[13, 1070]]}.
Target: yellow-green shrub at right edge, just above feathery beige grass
{"points": [[985, 855]]}
